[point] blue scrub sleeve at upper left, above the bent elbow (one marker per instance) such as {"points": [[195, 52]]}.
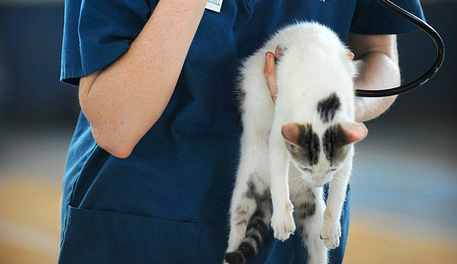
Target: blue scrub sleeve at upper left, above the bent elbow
{"points": [[96, 33]]}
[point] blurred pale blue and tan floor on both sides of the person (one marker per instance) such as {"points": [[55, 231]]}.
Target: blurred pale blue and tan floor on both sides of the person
{"points": [[403, 196]]}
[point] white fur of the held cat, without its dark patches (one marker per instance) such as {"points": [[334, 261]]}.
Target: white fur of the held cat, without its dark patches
{"points": [[313, 66]]}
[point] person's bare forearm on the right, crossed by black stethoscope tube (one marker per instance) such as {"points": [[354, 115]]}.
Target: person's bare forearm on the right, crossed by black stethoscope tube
{"points": [[378, 58]]}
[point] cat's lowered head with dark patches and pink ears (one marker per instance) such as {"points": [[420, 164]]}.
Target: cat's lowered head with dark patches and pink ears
{"points": [[319, 157]]}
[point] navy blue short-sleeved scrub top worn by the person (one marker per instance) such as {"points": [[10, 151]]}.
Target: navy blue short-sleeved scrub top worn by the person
{"points": [[169, 201]]}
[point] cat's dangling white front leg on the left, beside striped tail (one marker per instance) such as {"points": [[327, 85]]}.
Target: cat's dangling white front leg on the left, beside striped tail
{"points": [[282, 220]]}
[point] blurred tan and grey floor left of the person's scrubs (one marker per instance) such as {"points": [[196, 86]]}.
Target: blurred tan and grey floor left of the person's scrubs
{"points": [[31, 167]]}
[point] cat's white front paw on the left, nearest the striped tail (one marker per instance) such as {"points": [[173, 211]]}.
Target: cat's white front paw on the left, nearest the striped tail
{"points": [[282, 221]]}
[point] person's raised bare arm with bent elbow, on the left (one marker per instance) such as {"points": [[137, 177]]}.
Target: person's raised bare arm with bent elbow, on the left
{"points": [[125, 99]]}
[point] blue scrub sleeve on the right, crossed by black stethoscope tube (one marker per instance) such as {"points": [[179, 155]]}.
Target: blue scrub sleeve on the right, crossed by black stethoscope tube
{"points": [[373, 18]]}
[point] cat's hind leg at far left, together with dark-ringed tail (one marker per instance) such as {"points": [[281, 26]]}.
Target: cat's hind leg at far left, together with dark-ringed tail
{"points": [[250, 211]]}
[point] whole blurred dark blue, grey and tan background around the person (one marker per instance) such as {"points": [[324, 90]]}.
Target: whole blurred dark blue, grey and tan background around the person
{"points": [[405, 176]]}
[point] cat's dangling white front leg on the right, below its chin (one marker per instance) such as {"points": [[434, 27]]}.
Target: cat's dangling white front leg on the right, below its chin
{"points": [[331, 230]]}
